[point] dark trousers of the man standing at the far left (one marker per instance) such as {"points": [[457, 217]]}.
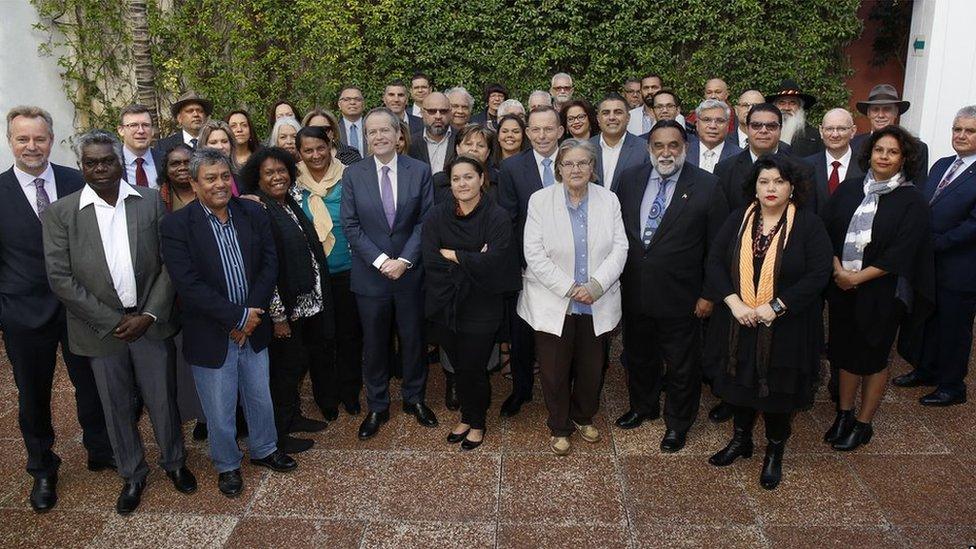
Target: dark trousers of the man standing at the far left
{"points": [[33, 355]]}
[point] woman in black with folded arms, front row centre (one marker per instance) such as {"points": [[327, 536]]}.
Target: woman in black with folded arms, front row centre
{"points": [[468, 267]]}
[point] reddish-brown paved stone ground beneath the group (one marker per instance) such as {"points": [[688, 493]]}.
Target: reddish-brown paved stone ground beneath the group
{"points": [[914, 485]]}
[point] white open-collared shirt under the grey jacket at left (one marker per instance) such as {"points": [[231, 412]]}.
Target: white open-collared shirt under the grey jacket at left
{"points": [[115, 240]]}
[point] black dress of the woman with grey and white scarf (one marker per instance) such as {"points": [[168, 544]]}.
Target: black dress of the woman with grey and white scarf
{"points": [[863, 322]]}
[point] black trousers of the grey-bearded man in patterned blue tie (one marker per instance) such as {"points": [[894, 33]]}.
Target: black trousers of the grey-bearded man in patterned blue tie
{"points": [[652, 343]]}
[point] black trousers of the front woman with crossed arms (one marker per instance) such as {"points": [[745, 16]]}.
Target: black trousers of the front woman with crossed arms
{"points": [[469, 354]]}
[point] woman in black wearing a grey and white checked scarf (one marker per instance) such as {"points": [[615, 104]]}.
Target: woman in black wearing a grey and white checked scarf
{"points": [[879, 228]]}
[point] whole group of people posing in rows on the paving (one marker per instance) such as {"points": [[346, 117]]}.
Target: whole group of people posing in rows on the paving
{"points": [[203, 276]]}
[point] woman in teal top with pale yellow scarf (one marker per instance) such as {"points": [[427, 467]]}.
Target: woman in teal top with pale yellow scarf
{"points": [[319, 193]]}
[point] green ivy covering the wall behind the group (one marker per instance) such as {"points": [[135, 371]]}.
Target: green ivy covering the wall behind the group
{"points": [[249, 53]]}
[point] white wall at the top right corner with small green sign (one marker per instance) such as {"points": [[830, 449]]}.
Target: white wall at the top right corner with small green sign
{"points": [[943, 79]]}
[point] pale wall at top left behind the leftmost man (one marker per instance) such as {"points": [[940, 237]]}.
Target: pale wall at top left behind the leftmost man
{"points": [[28, 78]]}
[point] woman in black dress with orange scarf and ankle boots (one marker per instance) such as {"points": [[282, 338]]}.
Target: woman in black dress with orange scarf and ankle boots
{"points": [[766, 271]]}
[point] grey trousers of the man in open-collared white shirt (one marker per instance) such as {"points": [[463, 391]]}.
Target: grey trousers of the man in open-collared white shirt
{"points": [[144, 370]]}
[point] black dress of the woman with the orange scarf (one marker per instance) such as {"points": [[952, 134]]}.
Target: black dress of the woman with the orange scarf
{"points": [[794, 357]]}
